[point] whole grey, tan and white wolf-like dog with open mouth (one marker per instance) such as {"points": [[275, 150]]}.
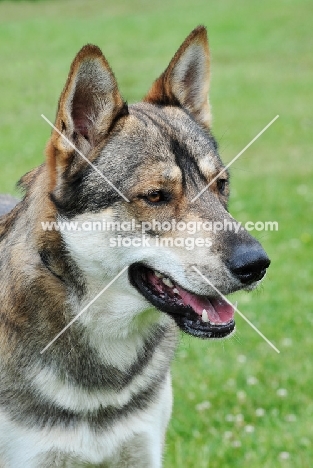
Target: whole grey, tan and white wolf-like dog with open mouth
{"points": [[99, 393]]}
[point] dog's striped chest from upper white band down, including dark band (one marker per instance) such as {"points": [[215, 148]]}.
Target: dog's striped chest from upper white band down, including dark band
{"points": [[70, 425]]}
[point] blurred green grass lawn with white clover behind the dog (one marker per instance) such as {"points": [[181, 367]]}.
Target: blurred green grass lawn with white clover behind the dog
{"points": [[237, 403]]}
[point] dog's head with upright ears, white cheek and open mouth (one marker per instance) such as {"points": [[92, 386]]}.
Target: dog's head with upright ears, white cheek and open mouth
{"points": [[146, 165]]}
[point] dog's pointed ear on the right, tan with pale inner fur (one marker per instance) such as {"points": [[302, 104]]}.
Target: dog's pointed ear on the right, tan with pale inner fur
{"points": [[185, 82]]}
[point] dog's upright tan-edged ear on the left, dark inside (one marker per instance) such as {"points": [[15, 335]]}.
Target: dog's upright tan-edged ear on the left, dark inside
{"points": [[88, 106]]}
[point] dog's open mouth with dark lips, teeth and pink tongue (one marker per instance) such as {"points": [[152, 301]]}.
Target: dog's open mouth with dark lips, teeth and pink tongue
{"points": [[200, 316]]}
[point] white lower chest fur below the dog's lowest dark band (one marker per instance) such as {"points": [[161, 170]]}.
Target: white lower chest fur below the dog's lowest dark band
{"points": [[83, 445]]}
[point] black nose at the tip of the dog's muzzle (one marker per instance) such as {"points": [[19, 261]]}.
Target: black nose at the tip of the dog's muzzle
{"points": [[249, 264]]}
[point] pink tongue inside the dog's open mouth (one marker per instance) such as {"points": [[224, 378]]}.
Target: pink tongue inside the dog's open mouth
{"points": [[219, 311]]}
